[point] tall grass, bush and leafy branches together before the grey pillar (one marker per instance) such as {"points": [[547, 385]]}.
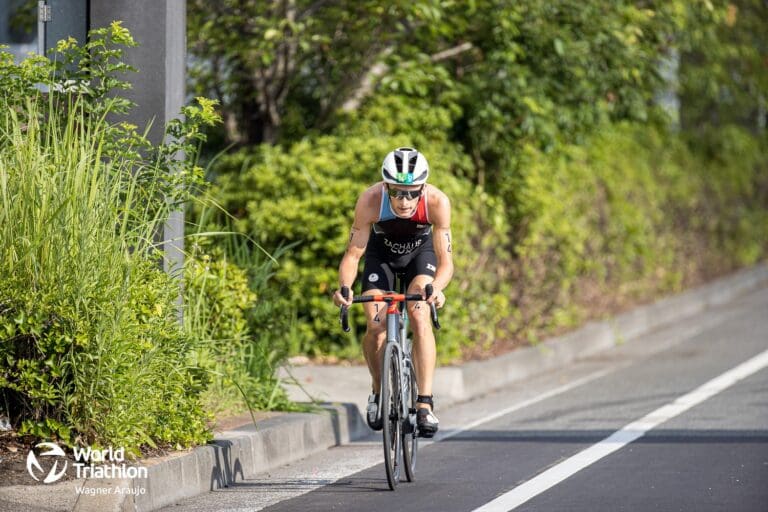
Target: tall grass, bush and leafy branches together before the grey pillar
{"points": [[92, 351]]}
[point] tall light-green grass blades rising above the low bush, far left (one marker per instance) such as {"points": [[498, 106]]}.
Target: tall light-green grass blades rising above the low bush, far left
{"points": [[61, 199]]}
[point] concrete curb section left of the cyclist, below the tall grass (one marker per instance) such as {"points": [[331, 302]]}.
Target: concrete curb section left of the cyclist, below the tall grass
{"points": [[234, 455]]}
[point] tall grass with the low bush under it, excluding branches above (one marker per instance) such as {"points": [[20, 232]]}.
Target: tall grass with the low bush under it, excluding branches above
{"points": [[91, 347]]}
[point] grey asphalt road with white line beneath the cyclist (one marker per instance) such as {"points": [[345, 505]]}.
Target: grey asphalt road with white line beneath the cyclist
{"points": [[674, 421]]}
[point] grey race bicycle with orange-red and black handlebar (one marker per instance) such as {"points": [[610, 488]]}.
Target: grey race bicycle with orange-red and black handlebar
{"points": [[399, 390]]}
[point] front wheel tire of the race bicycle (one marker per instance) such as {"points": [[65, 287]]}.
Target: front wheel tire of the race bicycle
{"points": [[390, 415]]}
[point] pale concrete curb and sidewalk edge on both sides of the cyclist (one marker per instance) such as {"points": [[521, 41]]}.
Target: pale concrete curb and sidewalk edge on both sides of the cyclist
{"points": [[249, 449]]}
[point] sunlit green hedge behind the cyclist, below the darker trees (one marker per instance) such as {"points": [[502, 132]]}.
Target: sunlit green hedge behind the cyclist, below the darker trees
{"points": [[631, 213]]}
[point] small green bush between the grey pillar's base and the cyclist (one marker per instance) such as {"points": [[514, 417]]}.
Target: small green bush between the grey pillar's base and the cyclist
{"points": [[238, 337]]}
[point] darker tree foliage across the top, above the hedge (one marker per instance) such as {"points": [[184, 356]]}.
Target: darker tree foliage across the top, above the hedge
{"points": [[533, 71]]}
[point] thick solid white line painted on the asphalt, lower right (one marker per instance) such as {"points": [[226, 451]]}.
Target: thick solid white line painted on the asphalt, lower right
{"points": [[621, 438]]}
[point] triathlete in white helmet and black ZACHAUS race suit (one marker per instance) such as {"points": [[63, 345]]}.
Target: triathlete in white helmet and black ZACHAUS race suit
{"points": [[401, 224]]}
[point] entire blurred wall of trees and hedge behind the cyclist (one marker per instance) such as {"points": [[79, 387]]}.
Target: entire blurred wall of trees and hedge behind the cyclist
{"points": [[573, 212]]}
